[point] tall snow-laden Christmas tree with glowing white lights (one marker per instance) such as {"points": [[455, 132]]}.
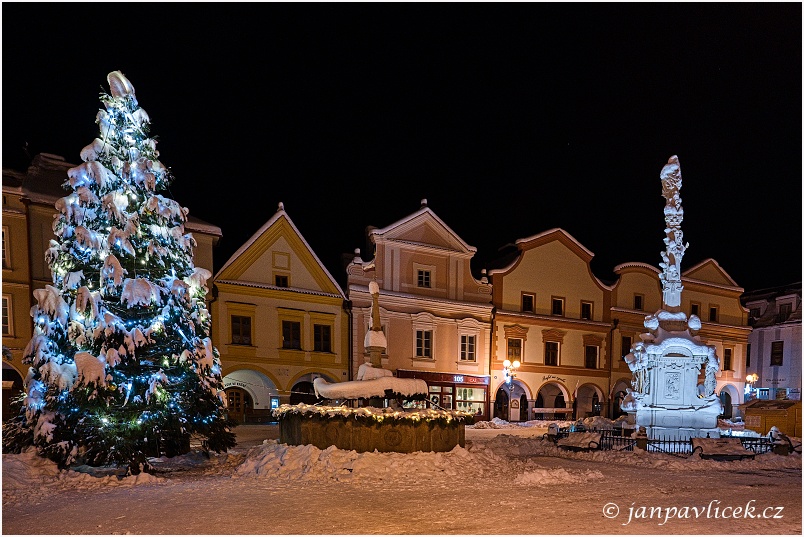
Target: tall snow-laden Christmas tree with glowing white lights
{"points": [[122, 365]]}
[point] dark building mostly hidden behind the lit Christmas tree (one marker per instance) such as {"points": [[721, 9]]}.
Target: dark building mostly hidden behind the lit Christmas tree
{"points": [[29, 200]]}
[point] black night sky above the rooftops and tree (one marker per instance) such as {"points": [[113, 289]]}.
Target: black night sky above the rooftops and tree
{"points": [[510, 119]]}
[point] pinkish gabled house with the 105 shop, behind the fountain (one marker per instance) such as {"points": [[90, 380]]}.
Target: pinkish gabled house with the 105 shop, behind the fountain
{"points": [[435, 315]]}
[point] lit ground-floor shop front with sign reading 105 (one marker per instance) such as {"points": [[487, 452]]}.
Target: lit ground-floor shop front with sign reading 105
{"points": [[450, 391]]}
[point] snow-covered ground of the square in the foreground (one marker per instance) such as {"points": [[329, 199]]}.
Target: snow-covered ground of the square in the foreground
{"points": [[507, 480]]}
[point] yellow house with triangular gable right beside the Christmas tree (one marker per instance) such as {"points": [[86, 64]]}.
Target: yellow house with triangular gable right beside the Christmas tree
{"points": [[280, 320]]}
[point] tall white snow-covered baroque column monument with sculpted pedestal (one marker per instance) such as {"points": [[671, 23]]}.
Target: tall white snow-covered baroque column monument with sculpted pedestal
{"points": [[666, 398]]}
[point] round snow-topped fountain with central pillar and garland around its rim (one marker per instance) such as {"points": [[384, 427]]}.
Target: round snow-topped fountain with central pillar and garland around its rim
{"points": [[391, 428]]}
